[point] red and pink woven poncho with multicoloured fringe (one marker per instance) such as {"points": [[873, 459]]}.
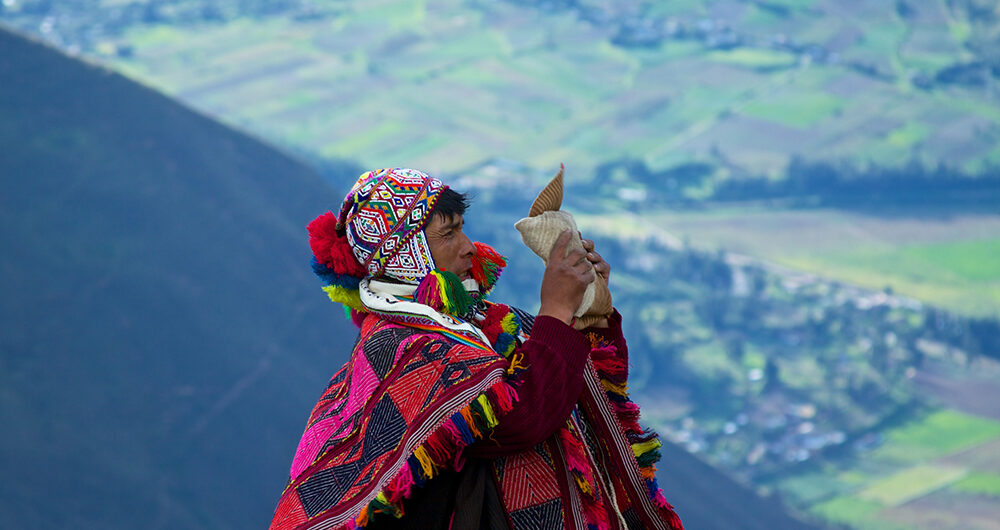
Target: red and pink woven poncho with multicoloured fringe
{"points": [[422, 386]]}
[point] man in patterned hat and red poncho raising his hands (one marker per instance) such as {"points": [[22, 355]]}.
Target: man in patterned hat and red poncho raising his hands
{"points": [[455, 412]]}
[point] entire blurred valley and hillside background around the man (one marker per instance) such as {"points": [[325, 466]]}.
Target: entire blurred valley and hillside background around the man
{"points": [[800, 200]]}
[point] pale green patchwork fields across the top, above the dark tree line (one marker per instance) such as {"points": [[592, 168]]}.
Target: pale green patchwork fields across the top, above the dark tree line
{"points": [[742, 85]]}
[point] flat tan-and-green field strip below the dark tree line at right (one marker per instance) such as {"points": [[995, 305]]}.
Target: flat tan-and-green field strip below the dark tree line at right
{"points": [[948, 259]]}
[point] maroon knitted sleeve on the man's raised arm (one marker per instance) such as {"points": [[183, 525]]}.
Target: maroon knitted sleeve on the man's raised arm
{"points": [[549, 388]]}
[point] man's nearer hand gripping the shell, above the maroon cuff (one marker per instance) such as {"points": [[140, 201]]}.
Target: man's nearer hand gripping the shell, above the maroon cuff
{"points": [[567, 276]]}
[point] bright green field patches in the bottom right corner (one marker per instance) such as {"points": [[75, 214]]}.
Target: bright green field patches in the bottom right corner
{"points": [[927, 474]]}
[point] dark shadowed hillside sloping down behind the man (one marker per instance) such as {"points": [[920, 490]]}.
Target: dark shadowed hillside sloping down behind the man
{"points": [[162, 340]]}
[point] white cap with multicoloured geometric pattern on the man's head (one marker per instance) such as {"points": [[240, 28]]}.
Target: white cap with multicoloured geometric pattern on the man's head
{"points": [[384, 216]]}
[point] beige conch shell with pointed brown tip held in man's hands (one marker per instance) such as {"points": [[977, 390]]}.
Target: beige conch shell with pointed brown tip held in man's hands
{"points": [[541, 229]]}
